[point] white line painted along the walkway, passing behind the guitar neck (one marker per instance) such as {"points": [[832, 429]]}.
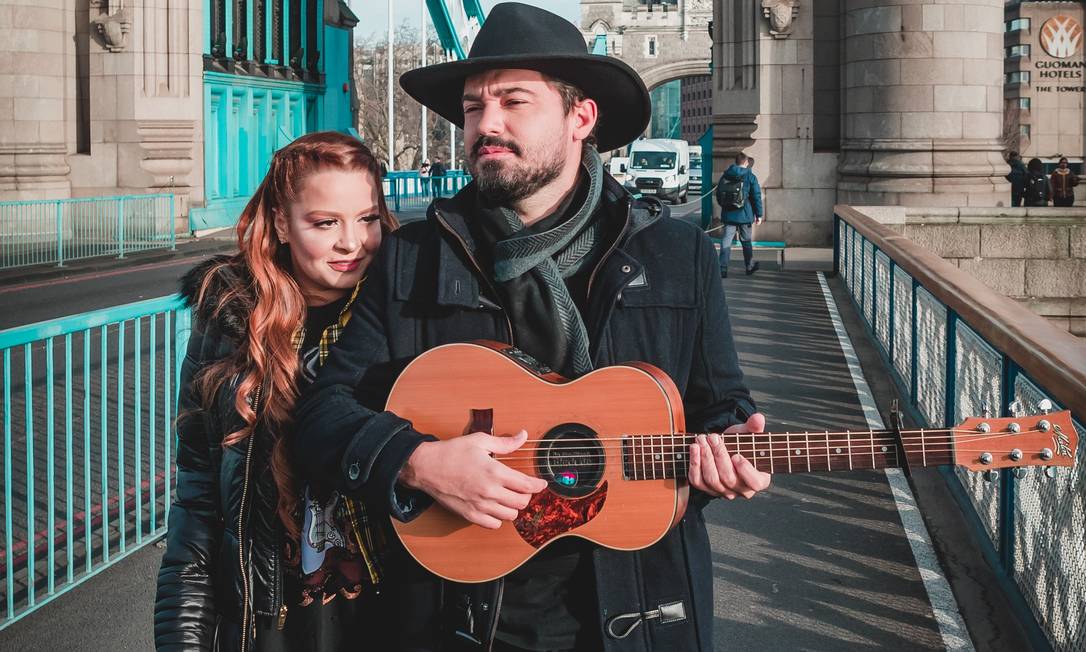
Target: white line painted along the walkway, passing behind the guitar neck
{"points": [[940, 596]]}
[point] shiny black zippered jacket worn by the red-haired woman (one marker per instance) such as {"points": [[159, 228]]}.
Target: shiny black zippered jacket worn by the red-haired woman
{"points": [[225, 495]]}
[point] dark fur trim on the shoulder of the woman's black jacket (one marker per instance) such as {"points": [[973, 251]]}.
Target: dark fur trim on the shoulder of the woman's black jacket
{"points": [[224, 277]]}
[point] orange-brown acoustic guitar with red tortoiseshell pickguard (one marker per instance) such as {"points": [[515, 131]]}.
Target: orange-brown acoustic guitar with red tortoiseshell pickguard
{"points": [[613, 447]]}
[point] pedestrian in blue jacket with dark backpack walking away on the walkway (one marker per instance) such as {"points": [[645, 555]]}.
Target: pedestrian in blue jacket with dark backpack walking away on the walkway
{"points": [[739, 195]]}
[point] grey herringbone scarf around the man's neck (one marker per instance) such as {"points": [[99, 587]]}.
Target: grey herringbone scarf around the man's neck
{"points": [[557, 255]]}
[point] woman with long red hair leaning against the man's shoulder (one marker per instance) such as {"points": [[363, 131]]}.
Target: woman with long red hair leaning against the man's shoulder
{"points": [[255, 561]]}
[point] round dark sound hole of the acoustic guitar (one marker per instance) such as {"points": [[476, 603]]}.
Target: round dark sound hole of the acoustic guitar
{"points": [[571, 457]]}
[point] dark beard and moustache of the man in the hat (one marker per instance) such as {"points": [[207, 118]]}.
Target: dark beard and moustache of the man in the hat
{"points": [[507, 183]]}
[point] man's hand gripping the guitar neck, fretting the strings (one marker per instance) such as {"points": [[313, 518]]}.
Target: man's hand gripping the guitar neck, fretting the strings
{"points": [[716, 472]]}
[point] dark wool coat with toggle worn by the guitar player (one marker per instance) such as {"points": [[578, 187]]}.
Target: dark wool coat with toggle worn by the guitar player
{"points": [[655, 297]]}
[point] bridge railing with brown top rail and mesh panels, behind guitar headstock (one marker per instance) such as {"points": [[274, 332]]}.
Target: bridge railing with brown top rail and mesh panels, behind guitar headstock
{"points": [[957, 349]]}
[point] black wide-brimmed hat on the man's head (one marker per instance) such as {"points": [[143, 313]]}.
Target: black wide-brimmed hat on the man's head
{"points": [[521, 36]]}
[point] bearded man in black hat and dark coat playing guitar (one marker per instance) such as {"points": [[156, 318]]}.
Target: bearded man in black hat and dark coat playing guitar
{"points": [[546, 252]]}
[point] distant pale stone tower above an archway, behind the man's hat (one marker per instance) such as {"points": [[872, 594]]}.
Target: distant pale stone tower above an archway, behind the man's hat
{"points": [[662, 40]]}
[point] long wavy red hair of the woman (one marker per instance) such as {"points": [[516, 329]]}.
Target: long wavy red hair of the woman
{"points": [[269, 363]]}
